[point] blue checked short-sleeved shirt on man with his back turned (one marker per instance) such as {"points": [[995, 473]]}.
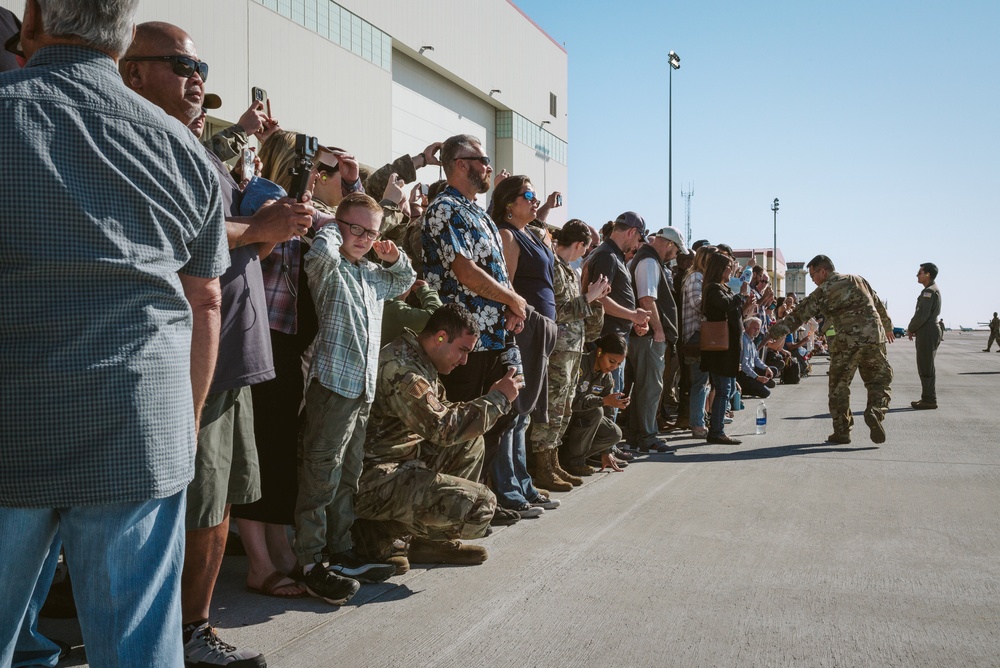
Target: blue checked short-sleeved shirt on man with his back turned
{"points": [[105, 199]]}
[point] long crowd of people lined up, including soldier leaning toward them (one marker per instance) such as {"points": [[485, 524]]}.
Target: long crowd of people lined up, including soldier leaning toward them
{"points": [[377, 368]]}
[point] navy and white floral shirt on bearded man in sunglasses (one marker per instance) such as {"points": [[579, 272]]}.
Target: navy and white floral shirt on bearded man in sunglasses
{"points": [[453, 226]]}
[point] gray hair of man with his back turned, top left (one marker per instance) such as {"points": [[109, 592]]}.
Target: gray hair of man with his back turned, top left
{"points": [[101, 24]]}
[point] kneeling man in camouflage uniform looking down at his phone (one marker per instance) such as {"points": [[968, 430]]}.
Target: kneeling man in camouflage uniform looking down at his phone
{"points": [[424, 454]]}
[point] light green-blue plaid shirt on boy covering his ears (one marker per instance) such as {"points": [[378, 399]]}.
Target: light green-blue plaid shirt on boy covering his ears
{"points": [[349, 305]]}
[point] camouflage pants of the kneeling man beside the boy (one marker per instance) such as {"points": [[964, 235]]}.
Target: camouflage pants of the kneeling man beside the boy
{"points": [[433, 497]]}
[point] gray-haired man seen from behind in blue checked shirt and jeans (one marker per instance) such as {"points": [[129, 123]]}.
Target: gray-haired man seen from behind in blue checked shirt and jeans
{"points": [[113, 334]]}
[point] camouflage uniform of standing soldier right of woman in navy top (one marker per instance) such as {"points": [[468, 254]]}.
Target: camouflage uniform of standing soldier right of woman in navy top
{"points": [[572, 314]]}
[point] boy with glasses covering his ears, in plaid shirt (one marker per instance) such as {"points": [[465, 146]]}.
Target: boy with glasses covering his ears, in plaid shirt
{"points": [[348, 291]]}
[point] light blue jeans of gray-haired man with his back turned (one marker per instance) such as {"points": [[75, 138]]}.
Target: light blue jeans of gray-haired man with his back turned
{"points": [[125, 561]]}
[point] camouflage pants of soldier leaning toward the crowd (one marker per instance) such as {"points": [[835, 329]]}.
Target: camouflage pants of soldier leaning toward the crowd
{"points": [[871, 362]]}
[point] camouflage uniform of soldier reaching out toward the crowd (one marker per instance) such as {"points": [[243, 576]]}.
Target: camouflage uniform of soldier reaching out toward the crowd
{"points": [[859, 316]]}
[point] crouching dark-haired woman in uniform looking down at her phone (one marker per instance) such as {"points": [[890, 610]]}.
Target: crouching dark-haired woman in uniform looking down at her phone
{"points": [[591, 433]]}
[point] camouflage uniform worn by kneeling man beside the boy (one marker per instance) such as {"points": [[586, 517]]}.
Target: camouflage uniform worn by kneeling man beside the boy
{"points": [[424, 454]]}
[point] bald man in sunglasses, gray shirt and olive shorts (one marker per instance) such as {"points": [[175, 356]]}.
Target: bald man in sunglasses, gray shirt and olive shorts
{"points": [[162, 66]]}
